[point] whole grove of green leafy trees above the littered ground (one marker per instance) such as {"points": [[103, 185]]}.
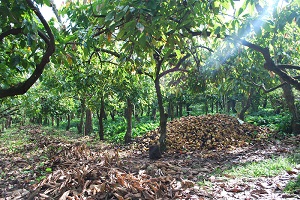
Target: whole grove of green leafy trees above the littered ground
{"points": [[104, 58]]}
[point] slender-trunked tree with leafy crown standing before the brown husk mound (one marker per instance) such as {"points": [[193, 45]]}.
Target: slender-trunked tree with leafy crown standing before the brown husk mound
{"points": [[152, 36]]}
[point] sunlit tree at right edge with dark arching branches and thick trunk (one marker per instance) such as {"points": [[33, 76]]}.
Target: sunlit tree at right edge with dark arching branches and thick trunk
{"points": [[273, 32]]}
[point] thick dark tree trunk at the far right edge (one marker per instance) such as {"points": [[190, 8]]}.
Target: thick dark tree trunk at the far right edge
{"points": [[290, 100]]}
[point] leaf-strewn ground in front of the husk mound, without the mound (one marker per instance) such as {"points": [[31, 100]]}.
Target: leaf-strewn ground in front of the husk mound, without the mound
{"points": [[41, 164]]}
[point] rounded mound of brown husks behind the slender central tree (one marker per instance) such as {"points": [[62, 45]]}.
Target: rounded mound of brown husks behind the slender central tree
{"points": [[205, 132]]}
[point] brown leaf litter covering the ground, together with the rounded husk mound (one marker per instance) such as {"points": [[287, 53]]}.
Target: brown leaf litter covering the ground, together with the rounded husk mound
{"points": [[54, 168]]}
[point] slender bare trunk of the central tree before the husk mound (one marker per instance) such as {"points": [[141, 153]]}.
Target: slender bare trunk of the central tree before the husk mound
{"points": [[162, 117]]}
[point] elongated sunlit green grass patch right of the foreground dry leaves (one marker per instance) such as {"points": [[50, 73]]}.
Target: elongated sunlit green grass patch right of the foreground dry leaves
{"points": [[265, 168]]}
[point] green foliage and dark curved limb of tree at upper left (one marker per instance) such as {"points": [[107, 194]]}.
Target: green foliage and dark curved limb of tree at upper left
{"points": [[25, 48]]}
